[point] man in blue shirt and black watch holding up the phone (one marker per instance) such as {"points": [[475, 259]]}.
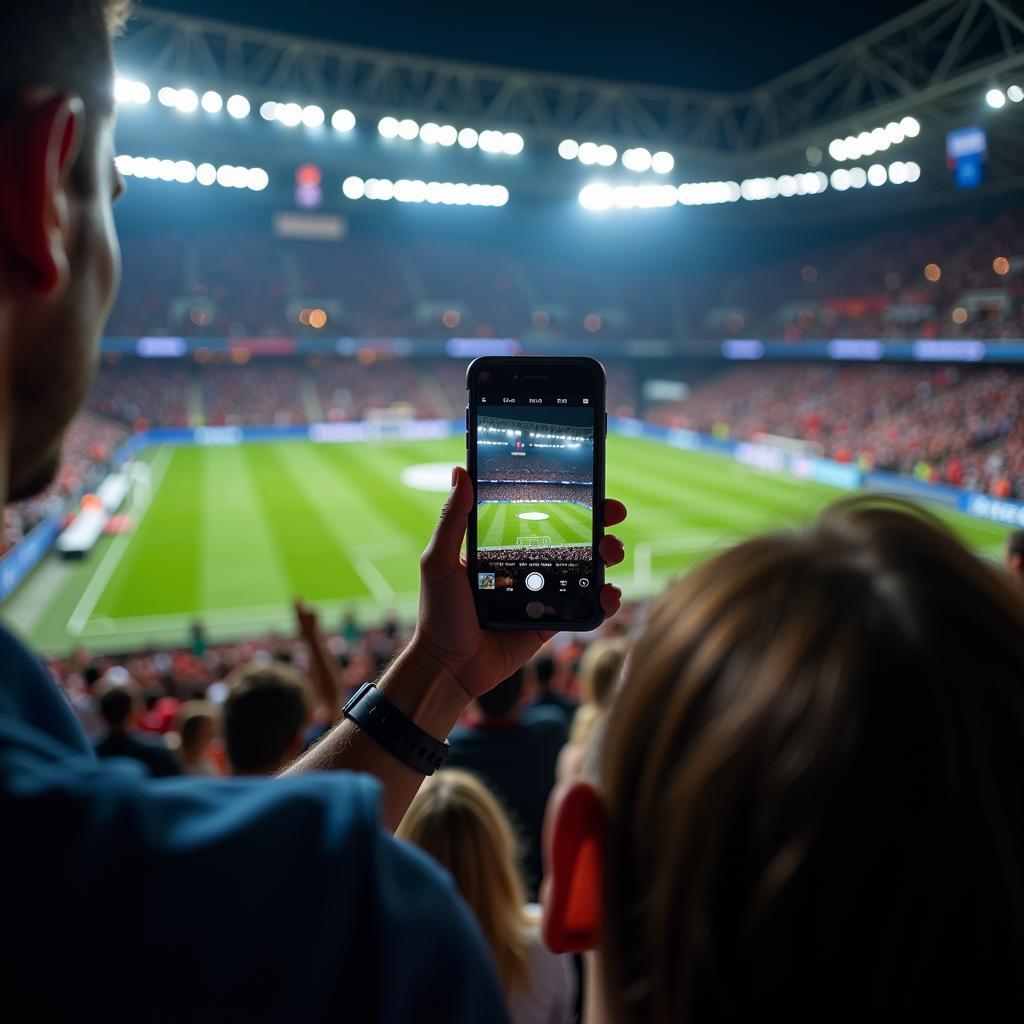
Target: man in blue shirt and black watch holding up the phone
{"points": [[316, 912]]}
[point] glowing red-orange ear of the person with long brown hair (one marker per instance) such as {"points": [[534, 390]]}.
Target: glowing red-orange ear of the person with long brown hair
{"points": [[574, 834]]}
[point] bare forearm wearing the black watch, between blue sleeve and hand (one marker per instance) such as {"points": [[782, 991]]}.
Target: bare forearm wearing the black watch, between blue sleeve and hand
{"points": [[425, 693]]}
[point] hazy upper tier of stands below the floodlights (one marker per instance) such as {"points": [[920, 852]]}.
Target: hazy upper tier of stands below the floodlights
{"points": [[959, 279]]}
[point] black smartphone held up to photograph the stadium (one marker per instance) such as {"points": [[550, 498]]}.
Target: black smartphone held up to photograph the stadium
{"points": [[536, 429]]}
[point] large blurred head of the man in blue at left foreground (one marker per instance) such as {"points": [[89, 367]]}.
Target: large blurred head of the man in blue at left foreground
{"points": [[59, 253]]}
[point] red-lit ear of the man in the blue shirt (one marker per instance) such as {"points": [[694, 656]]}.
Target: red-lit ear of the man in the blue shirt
{"points": [[39, 144]]}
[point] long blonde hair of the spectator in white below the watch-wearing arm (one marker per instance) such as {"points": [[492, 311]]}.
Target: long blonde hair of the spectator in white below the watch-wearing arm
{"points": [[460, 824]]}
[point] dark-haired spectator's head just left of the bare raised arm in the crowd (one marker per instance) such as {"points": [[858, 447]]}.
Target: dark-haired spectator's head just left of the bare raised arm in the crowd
{"points": [[266, 716]]}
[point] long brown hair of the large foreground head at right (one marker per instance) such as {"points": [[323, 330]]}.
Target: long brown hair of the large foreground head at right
{"points": [[815, 776]]}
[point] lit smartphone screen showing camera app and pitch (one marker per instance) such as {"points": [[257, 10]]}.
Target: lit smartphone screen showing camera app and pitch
{"points": [[535, 463]]}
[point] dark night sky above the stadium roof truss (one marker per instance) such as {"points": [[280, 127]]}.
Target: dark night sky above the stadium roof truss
{"points": [[716, 45]]}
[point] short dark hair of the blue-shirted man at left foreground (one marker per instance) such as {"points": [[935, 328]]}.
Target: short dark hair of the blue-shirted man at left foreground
{"points": [[62, 45]]}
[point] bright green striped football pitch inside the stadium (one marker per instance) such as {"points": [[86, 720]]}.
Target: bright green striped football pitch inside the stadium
{"points": [[230, 536]]}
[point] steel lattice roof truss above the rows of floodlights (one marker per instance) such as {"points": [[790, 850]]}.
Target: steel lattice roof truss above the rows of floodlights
{"points": [[927, 60]]}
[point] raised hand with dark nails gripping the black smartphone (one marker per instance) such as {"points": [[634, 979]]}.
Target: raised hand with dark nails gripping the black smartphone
{"points": [[448, 629]]}
